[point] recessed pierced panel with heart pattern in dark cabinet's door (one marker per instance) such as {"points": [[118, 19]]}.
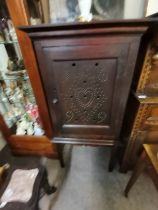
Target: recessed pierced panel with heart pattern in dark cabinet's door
{"points": [[84, 89]]}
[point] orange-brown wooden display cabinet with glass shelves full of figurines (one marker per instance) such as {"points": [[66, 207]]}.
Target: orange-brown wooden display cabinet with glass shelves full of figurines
{"points": [[20, 121]]}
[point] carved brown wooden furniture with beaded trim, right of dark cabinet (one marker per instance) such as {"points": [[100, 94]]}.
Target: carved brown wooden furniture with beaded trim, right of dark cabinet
{"points": [[141, 124]]}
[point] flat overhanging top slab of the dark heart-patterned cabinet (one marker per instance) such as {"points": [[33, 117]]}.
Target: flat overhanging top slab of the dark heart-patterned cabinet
{"points": [[145, 22]]}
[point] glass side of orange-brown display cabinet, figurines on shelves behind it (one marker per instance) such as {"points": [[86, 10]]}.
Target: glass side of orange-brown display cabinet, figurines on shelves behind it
{"points": [[17, 101]]}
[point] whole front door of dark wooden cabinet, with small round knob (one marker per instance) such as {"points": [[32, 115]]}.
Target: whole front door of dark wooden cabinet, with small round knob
{"points": [[87, 81]]}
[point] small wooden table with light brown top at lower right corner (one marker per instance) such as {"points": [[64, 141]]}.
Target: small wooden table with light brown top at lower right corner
{"points": [[149, 161]]}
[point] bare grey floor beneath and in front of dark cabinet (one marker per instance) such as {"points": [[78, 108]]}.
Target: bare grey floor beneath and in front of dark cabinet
{"points": [[86, 184]]}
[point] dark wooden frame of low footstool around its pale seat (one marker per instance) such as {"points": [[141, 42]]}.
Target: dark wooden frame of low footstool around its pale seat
{"points": [[25, 162]]}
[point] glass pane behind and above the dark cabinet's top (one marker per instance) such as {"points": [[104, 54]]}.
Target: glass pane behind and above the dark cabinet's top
{"points": [[60, 11]]}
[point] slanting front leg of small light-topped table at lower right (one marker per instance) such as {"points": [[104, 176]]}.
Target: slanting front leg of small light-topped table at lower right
{"points": [[140, 166]]}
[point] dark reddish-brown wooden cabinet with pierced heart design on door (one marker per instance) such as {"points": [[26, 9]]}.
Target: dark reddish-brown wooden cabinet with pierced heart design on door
{"points": [[86, 71]]}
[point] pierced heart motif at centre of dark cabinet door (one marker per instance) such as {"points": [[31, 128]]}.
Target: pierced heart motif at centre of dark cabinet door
{"points": [[84, 97]]}
